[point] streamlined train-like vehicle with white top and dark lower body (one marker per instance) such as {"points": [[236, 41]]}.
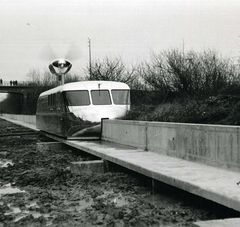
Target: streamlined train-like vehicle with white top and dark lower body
{"points": [[76, 109]]}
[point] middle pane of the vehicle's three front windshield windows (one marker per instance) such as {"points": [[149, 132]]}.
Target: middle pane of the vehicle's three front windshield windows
{"points": [[101, 97]]}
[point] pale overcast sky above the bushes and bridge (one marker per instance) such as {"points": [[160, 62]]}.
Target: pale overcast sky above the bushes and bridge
{"points": [[33, 32]]}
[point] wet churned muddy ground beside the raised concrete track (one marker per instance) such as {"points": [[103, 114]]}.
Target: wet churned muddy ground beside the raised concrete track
{"points": [[38, 189]]}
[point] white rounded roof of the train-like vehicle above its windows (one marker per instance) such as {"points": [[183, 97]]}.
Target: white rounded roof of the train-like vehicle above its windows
{"points": [[86, 85]]}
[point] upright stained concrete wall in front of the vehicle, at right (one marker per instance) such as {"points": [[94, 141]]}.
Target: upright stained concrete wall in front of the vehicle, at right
{"points": [[210, 144]]}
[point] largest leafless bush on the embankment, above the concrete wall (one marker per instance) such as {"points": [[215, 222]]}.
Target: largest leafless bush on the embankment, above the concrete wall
{"points": [[190, 74]]}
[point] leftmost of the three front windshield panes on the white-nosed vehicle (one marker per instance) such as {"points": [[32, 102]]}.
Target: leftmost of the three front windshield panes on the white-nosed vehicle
{"points": [[77, 98]]}
